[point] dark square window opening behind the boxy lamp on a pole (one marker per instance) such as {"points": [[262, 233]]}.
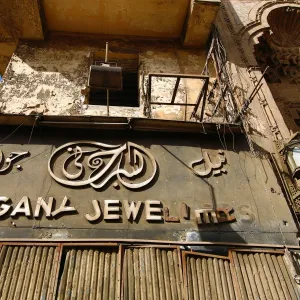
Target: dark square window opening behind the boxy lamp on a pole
{"points": [[129, 95]]}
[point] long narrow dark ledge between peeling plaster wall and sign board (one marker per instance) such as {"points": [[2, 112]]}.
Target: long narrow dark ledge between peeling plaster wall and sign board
{"points": [[118, 123]]}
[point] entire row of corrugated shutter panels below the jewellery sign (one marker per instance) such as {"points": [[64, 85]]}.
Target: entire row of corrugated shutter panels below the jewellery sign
{"points": [[148, 272]]}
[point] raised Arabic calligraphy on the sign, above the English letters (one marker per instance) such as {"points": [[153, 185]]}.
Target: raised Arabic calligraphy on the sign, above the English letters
{"points": [[100, 173]]}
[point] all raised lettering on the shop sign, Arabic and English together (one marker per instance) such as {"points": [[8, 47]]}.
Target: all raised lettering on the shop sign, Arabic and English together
{"points": [[89, 163]]}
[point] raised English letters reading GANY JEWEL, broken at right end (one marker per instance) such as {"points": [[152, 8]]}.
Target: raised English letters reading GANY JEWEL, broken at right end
{"points": [[153, 211]]}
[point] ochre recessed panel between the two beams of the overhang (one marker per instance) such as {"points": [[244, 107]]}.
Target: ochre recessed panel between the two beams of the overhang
{"points": [[119, 17]]}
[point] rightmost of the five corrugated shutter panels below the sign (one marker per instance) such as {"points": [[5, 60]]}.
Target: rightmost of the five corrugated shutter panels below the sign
{"points": [[263, 275]]}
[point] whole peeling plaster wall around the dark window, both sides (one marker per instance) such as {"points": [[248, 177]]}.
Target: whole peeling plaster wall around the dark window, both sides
{"points": [[48, 77]]}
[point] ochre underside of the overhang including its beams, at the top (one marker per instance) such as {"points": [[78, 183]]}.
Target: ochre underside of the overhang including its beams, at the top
{"points": [[190, 20]]}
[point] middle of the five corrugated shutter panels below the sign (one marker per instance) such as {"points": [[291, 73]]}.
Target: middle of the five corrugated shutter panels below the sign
{"points": [[152, 273]]}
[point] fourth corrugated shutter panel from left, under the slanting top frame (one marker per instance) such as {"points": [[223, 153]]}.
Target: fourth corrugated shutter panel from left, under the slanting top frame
{"points": [[208, 277]]}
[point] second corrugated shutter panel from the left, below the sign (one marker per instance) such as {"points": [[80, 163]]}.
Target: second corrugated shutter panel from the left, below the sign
{"points": [[90, 273]]}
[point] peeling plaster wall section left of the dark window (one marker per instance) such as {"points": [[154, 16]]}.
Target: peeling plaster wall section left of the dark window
{"points": [[43, 80]]}
